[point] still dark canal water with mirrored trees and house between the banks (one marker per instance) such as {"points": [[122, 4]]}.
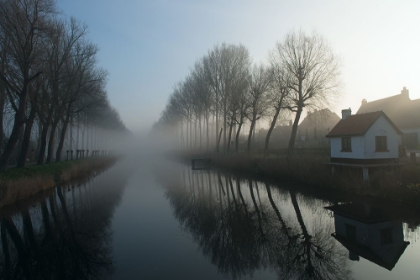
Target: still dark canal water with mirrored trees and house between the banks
{"points": [[165, 221]]}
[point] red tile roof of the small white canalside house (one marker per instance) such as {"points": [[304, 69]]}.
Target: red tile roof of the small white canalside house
{"points": [[358, 124]]}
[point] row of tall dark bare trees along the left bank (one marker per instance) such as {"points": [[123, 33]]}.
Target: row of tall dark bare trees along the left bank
{"points": [[49, 80]]}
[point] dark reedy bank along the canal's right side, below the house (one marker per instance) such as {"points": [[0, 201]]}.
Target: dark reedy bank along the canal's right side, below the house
{"points": [[400, 184]]}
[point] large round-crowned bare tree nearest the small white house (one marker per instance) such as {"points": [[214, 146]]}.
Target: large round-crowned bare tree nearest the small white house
{"points": [[312, 71]]}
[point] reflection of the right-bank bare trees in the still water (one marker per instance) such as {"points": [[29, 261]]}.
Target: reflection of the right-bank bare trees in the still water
{"points": [[244, 226]]}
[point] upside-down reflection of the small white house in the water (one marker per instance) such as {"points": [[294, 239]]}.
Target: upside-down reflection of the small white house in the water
{"points": [[367, 233]]}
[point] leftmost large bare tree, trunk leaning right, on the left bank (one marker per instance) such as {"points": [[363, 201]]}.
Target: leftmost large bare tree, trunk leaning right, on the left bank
{"points": [[23, 23]]}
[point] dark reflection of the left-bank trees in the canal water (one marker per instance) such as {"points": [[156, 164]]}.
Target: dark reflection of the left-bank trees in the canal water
{"points": [[65, 235]]}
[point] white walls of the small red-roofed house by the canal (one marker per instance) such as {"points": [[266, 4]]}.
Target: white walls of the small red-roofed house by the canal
{"points": [[363, 147]]}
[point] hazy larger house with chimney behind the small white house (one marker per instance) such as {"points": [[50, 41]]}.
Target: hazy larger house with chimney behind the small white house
{"points": [[403, 111]]}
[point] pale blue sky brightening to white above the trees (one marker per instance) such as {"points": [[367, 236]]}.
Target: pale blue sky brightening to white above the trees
{"points": [[149, 46]]}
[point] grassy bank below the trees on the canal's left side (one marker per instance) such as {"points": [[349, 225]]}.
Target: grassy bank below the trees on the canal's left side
{"points": [[20, 183]]}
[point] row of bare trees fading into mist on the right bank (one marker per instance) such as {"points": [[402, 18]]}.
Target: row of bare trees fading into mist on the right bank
{"points": [[225, 91]]}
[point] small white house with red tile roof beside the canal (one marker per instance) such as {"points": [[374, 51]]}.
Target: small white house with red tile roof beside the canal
{"points": [[370, 138]]}
